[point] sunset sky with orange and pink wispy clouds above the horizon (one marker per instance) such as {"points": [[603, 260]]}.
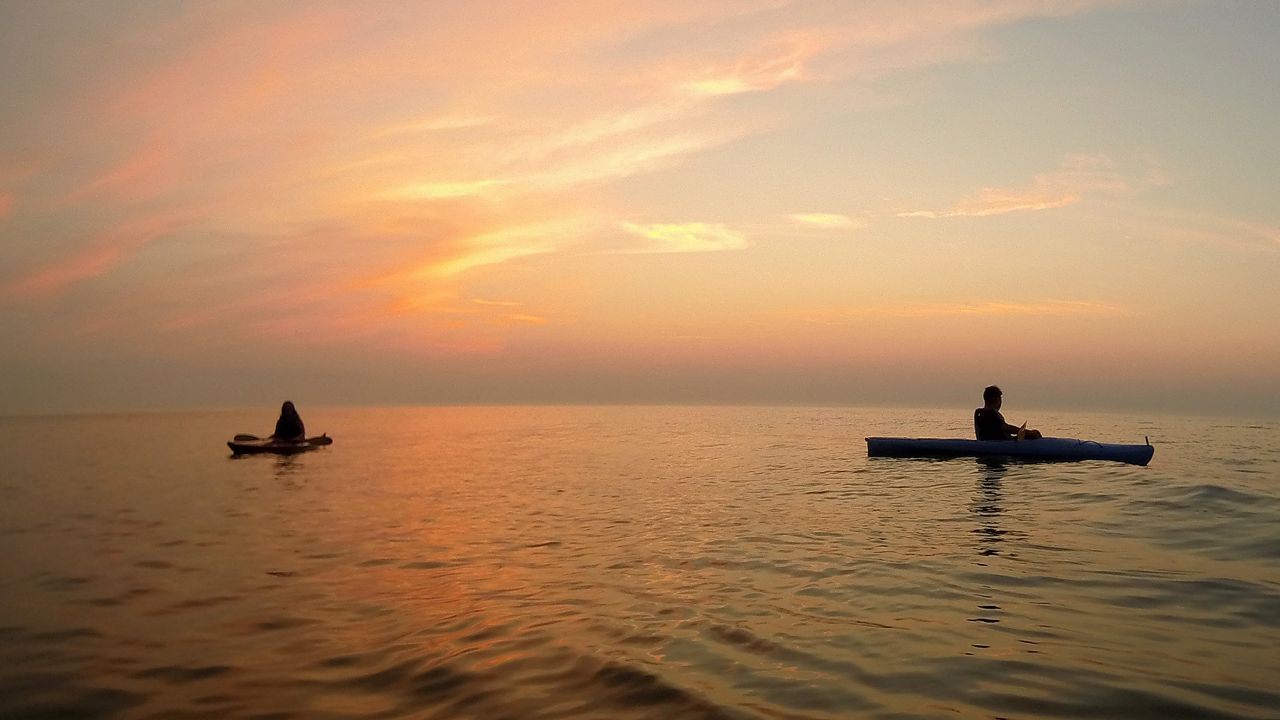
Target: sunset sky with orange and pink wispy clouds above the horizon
{"points": [[746, 202]]}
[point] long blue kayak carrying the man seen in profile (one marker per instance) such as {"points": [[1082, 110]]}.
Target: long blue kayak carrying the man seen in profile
{"points": [[1052, 449]]}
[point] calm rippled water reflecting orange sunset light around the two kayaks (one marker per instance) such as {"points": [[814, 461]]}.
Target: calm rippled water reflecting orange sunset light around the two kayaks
{"points": [[633, 563]]}
